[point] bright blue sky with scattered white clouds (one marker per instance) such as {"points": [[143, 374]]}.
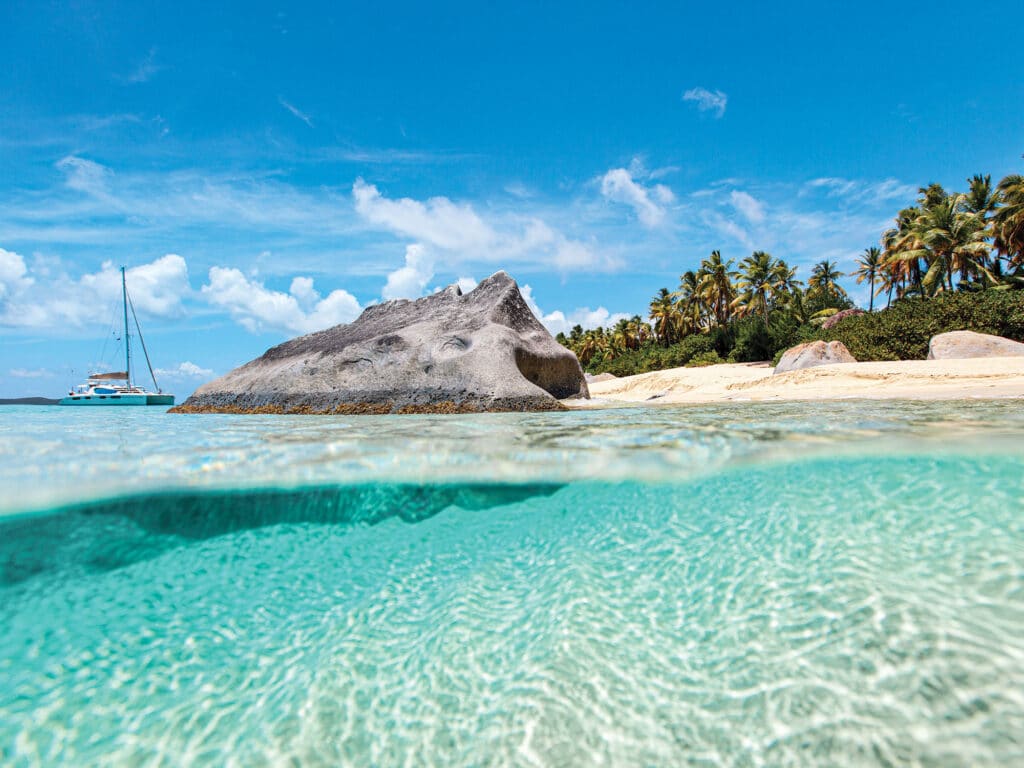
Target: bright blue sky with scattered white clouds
{"points": [[266, 172]]}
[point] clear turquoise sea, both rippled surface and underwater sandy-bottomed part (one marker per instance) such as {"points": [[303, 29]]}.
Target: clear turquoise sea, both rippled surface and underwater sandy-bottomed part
{"points": [[755, 585]]}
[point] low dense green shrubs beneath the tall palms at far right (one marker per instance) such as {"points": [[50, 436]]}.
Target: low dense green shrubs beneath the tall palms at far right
{"points": [[903, 332]]}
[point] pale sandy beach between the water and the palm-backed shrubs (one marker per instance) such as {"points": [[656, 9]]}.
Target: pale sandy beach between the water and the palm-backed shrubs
{"points": [[957, 379]]}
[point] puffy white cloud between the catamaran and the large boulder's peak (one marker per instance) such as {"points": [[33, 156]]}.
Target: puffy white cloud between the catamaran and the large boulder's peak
{"points": [[260, 309]]}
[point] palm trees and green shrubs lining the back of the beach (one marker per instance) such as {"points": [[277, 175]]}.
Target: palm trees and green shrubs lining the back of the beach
{"points": [[948, 263]]}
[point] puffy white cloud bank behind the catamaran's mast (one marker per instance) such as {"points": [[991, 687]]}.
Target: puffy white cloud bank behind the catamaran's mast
{"points": [[58, 302]]}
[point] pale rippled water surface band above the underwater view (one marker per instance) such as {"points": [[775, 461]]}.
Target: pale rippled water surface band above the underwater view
{"points": [[55, 456]]}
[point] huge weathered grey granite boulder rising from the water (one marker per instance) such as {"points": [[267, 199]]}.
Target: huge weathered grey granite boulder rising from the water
{"points": [[448, 353]]}
